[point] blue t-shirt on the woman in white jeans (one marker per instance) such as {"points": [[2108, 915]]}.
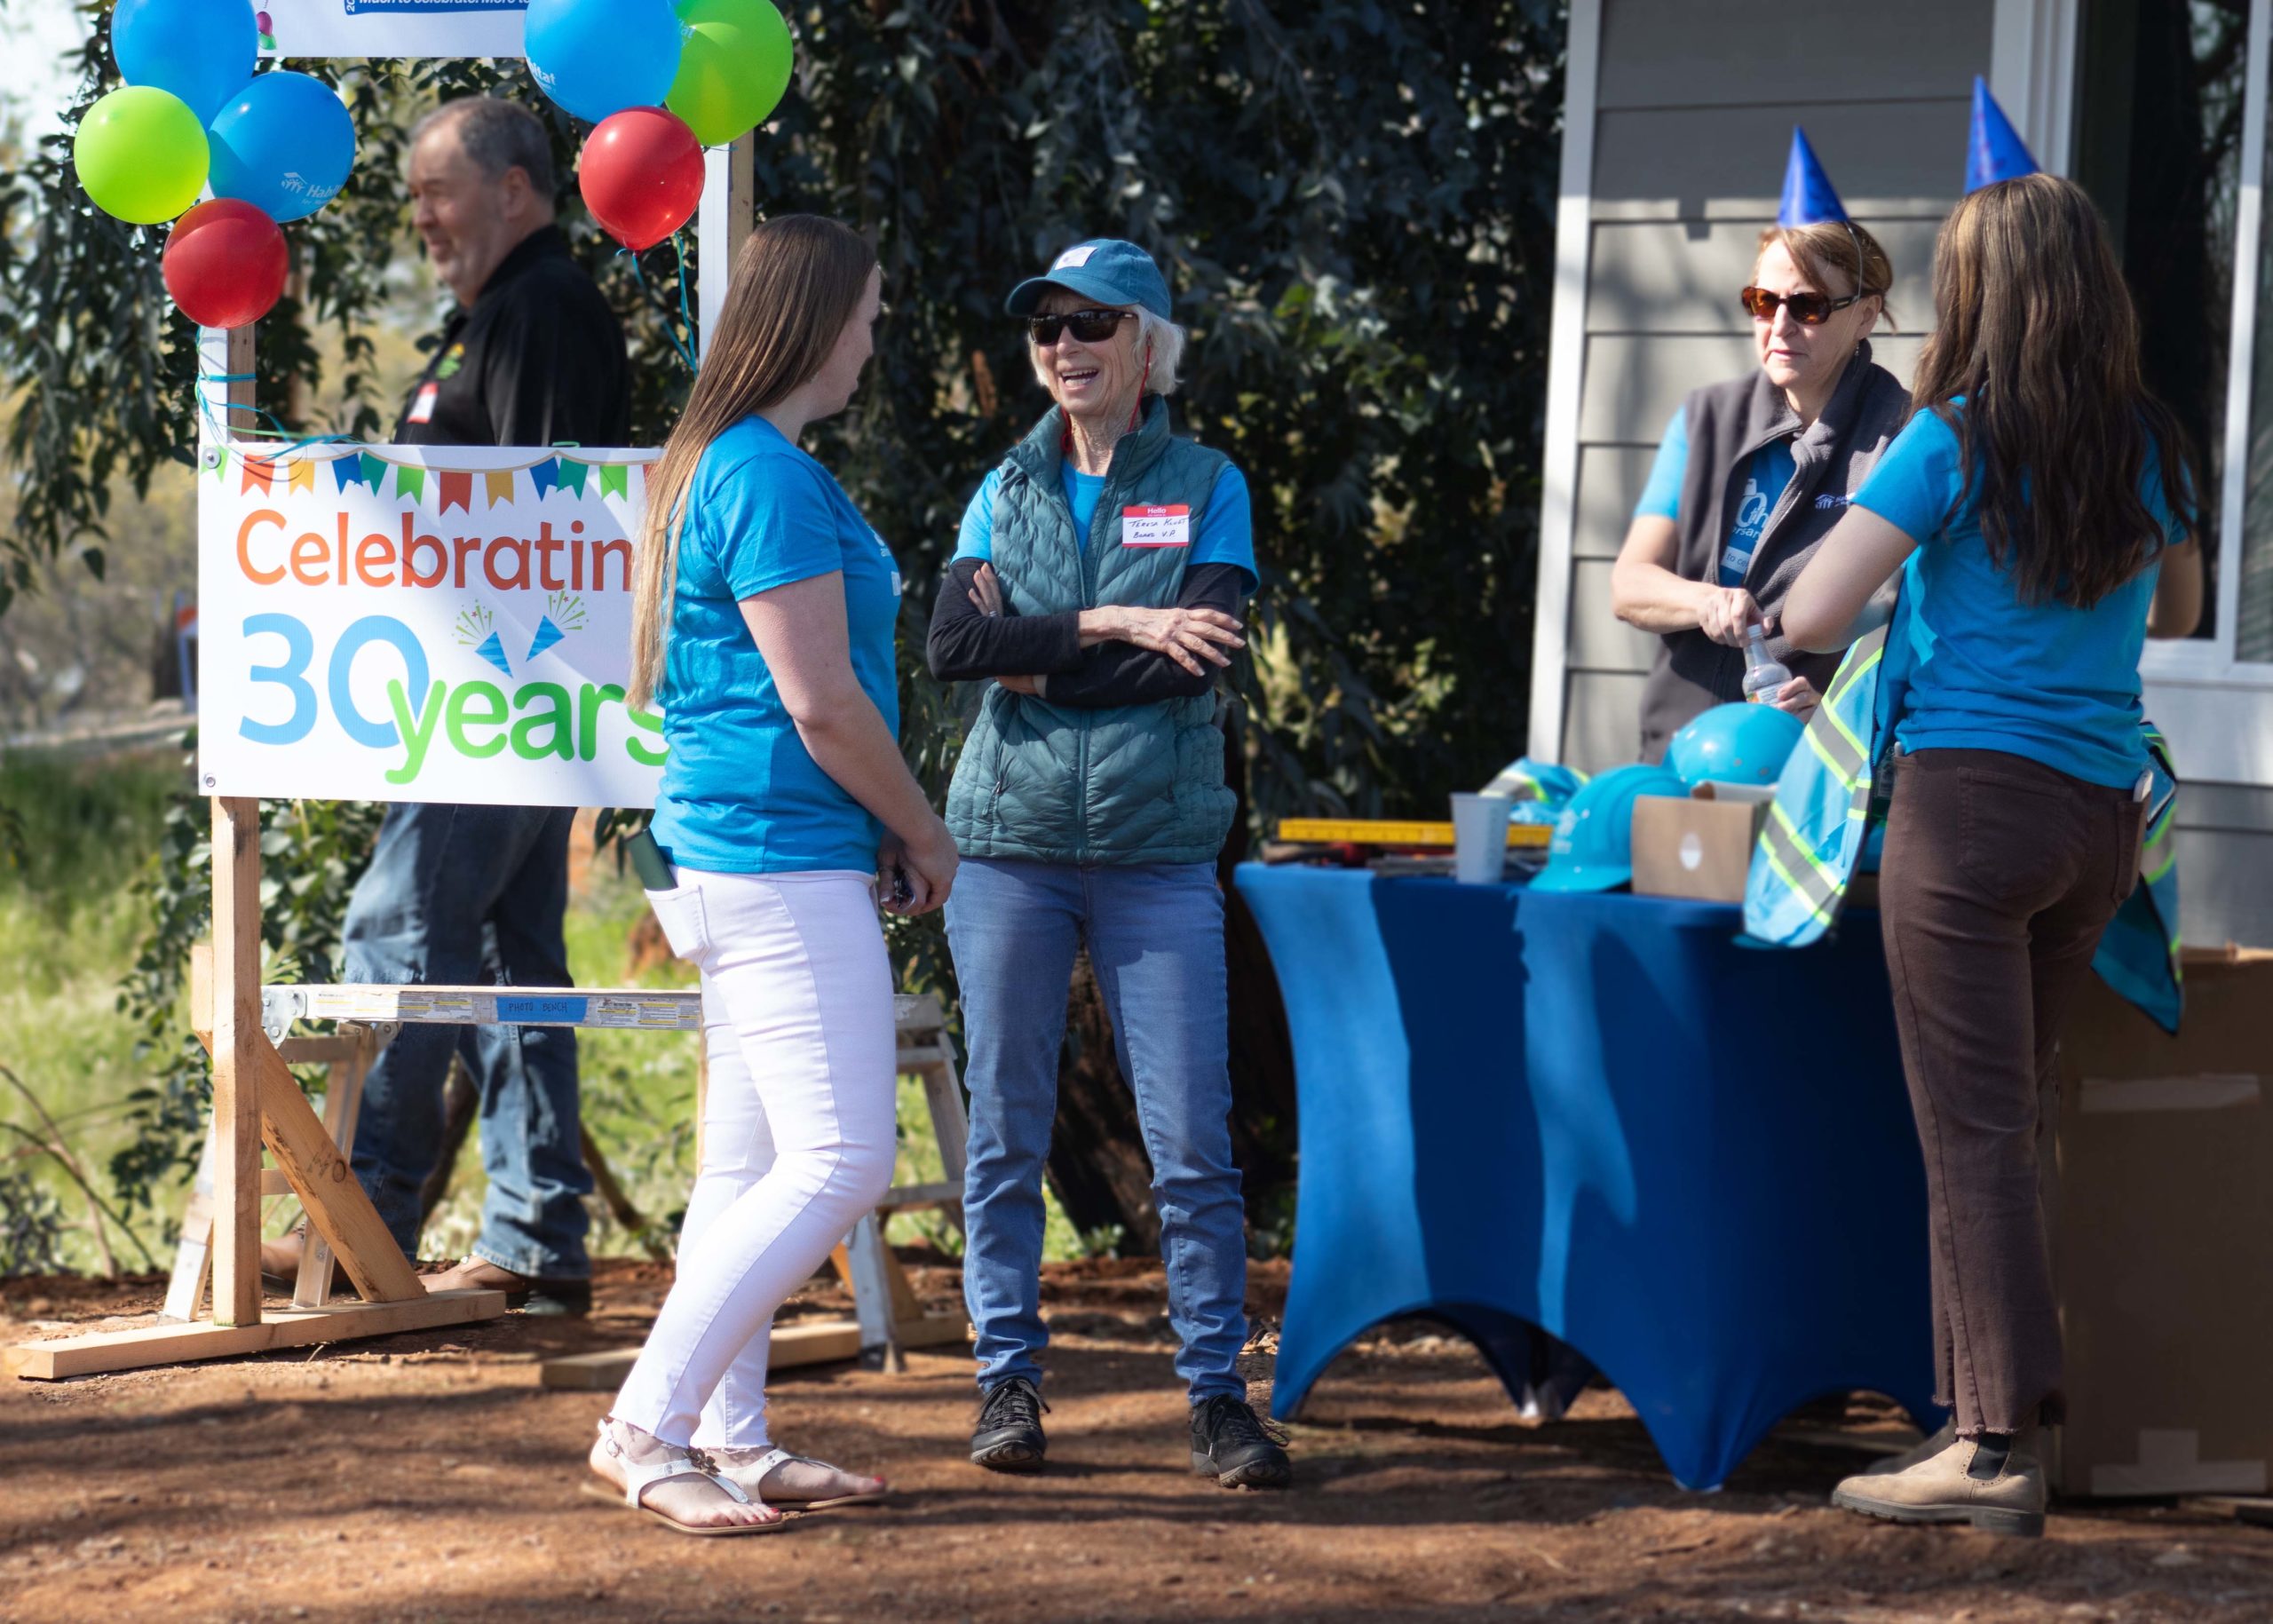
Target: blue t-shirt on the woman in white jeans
{"points": [[740, 793]]}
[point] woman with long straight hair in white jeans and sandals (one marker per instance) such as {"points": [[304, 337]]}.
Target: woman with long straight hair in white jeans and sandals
{"points": [[763, 624]]}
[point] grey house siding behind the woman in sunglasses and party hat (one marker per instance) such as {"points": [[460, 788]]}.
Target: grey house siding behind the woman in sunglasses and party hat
{"points": [[1695, 110]]}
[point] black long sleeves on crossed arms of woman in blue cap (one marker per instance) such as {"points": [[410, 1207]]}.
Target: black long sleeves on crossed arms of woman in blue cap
{"points": [[969, 647]]}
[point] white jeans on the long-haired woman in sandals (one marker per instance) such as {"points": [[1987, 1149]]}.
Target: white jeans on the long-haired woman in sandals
{"points": [[797, 1132]]}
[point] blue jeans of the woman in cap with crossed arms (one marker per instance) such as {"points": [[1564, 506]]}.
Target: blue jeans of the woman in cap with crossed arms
{"points": [[1156, 943]]}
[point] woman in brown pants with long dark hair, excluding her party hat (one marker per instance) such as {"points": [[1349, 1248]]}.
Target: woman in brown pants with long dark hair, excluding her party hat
{"points": [[2026, 508]]}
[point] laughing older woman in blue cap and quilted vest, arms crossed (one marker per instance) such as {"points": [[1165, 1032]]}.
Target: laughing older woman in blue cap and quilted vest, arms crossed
{"points": [[1097, 593]]}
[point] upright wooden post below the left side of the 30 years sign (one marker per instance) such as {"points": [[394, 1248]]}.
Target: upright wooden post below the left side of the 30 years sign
{"points": [[238, 1043]]}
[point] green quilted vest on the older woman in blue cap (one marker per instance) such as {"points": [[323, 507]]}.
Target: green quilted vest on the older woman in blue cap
{"points": [[1058, 784]]}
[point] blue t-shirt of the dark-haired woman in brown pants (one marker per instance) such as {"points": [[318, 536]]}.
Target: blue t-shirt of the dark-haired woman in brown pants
{"points": [[1988, 672]]}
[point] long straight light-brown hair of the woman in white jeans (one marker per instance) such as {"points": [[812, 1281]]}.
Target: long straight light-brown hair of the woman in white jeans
{"points": [[799, 283]]}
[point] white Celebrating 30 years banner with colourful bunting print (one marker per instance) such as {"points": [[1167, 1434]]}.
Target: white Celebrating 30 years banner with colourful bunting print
{"points": [[422, 624]]}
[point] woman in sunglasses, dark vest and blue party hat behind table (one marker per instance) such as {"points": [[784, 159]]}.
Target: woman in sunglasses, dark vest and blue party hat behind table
{"points": [[1756, 472]]}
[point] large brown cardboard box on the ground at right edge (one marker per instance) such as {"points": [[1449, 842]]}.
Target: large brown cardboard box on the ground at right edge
{"points": [[2163, 1238]]}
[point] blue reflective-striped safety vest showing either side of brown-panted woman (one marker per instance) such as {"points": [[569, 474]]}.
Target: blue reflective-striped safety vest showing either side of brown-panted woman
{"points": [[1831, 804]]}
